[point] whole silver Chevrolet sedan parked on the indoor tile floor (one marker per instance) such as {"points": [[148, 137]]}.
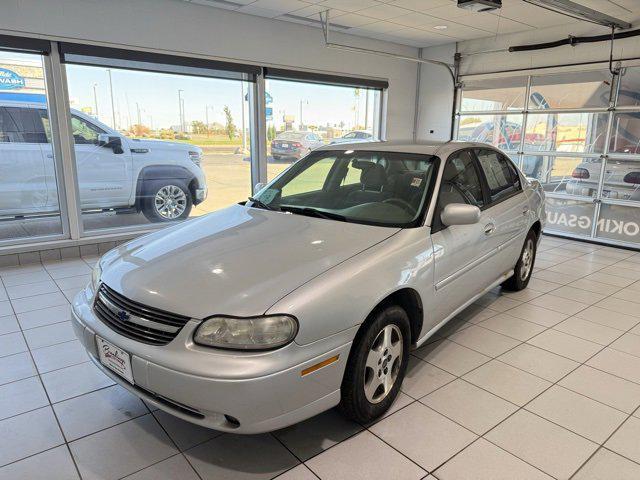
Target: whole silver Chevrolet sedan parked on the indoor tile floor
{"points": [[311, 294]]}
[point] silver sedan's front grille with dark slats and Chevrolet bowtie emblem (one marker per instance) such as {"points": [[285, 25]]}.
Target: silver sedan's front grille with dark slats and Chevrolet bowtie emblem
{"points": [[136, 321]]}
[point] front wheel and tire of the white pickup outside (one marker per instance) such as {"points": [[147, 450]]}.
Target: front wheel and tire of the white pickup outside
{"points": [[176, 196]]}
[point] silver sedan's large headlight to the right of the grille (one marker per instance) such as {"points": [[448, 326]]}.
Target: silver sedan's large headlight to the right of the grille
{"points": [[254, 333]]}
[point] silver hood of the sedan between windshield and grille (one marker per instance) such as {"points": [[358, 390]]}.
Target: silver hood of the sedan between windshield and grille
{"points": [[237, 261]]}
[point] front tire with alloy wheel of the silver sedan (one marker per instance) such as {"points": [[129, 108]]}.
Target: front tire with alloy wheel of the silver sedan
{"points": [[364, 394]]}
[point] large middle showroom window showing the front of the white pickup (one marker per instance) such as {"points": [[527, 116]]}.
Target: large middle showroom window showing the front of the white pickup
{"points": [[157, 139]]}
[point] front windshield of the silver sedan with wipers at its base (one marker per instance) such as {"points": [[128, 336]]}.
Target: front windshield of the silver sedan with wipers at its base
{"points": [[377, 188]]}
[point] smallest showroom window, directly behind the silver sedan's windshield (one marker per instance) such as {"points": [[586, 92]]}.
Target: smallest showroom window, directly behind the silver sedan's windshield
{"points": [[305, 111]]}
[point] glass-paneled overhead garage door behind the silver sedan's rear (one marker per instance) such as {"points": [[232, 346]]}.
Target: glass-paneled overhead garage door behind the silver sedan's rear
{"points": [[579, 135]]}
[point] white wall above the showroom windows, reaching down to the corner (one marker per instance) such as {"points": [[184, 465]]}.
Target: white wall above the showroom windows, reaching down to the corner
{"points": [[176, 26]]}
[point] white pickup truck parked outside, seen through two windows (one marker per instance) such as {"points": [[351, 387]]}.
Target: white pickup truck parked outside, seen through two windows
{"points": [[163, 180]]}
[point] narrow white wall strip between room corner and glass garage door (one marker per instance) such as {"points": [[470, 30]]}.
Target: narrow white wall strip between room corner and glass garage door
{"points": [[435, 96]]}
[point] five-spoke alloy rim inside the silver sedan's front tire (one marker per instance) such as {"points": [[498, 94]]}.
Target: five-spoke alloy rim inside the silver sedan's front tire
{"points": [[383, 364]]}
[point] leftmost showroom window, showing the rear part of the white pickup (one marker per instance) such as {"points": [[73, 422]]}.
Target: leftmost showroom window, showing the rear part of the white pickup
{"points": [[30, 206]]}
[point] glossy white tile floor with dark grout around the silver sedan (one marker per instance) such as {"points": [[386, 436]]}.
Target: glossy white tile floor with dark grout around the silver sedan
{"points": [[543, 383]]}
